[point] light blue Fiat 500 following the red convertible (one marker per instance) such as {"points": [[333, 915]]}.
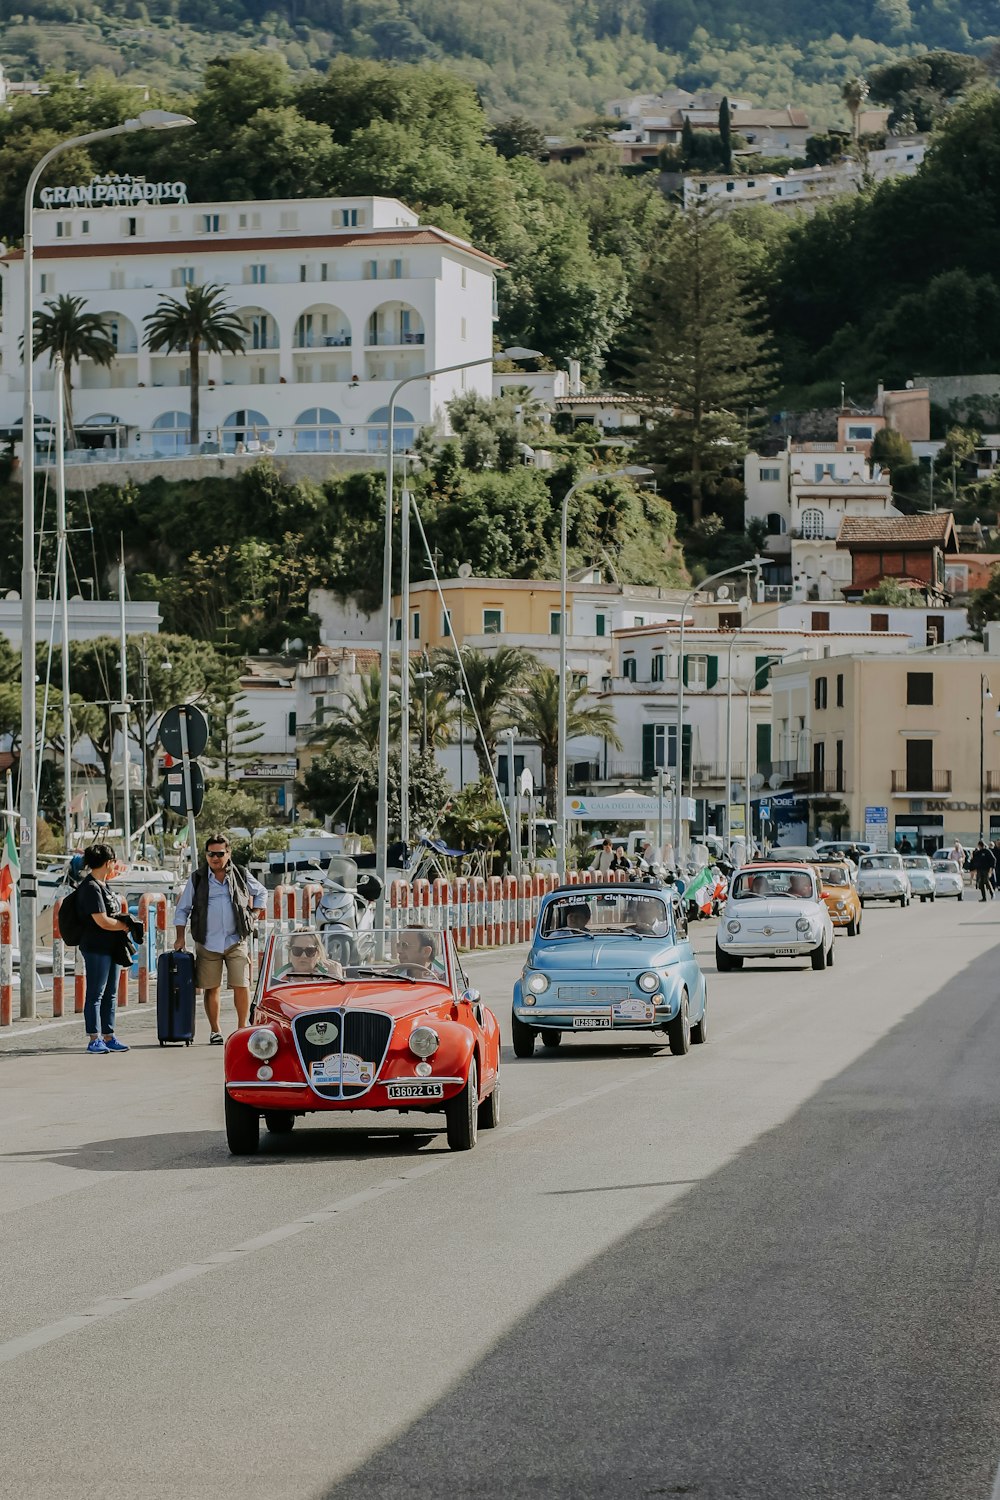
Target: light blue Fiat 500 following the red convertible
{"points": [[611, 959]]}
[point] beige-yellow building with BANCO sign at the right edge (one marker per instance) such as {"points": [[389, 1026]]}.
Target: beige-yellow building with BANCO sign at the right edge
{"points": [[899, 733]]}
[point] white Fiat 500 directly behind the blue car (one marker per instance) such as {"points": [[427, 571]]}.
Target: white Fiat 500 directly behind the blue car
{"points": [[774, 911]]}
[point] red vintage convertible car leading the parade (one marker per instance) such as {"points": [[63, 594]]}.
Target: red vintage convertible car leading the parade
{"points": [[373, 1021]]}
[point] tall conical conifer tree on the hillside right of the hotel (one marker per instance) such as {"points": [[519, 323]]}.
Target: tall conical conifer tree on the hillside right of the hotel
{"points": [[704, 355]]}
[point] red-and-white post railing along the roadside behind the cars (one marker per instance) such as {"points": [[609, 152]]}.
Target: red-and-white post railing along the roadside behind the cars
{"points": [[484, 913]]}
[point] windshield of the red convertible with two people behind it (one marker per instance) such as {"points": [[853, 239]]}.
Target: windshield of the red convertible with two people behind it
{"points": [[311, 958]]}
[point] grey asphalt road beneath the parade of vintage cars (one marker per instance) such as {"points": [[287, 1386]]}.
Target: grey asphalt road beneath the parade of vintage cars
{"points": [[767, 1270]]}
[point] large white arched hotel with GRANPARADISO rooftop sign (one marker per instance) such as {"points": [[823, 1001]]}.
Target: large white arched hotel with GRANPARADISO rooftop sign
{"points": [[341, 299]]}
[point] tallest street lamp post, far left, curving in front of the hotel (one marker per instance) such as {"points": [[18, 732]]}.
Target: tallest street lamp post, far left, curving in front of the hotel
{"points": [[149, 121]]}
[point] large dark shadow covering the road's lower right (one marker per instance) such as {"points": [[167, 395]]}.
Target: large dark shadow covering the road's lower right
{"points": [[818, 1321]]}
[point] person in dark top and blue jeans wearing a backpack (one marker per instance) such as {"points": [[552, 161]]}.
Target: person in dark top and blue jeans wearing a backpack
{"points": [[106, 926]]}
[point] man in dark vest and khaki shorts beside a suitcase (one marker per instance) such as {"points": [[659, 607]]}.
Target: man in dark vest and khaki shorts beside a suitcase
{"points": [[221, 901]]}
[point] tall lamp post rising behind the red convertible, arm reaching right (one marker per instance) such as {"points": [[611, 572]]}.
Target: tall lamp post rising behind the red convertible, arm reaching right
{"points": [[382, 830]]}
